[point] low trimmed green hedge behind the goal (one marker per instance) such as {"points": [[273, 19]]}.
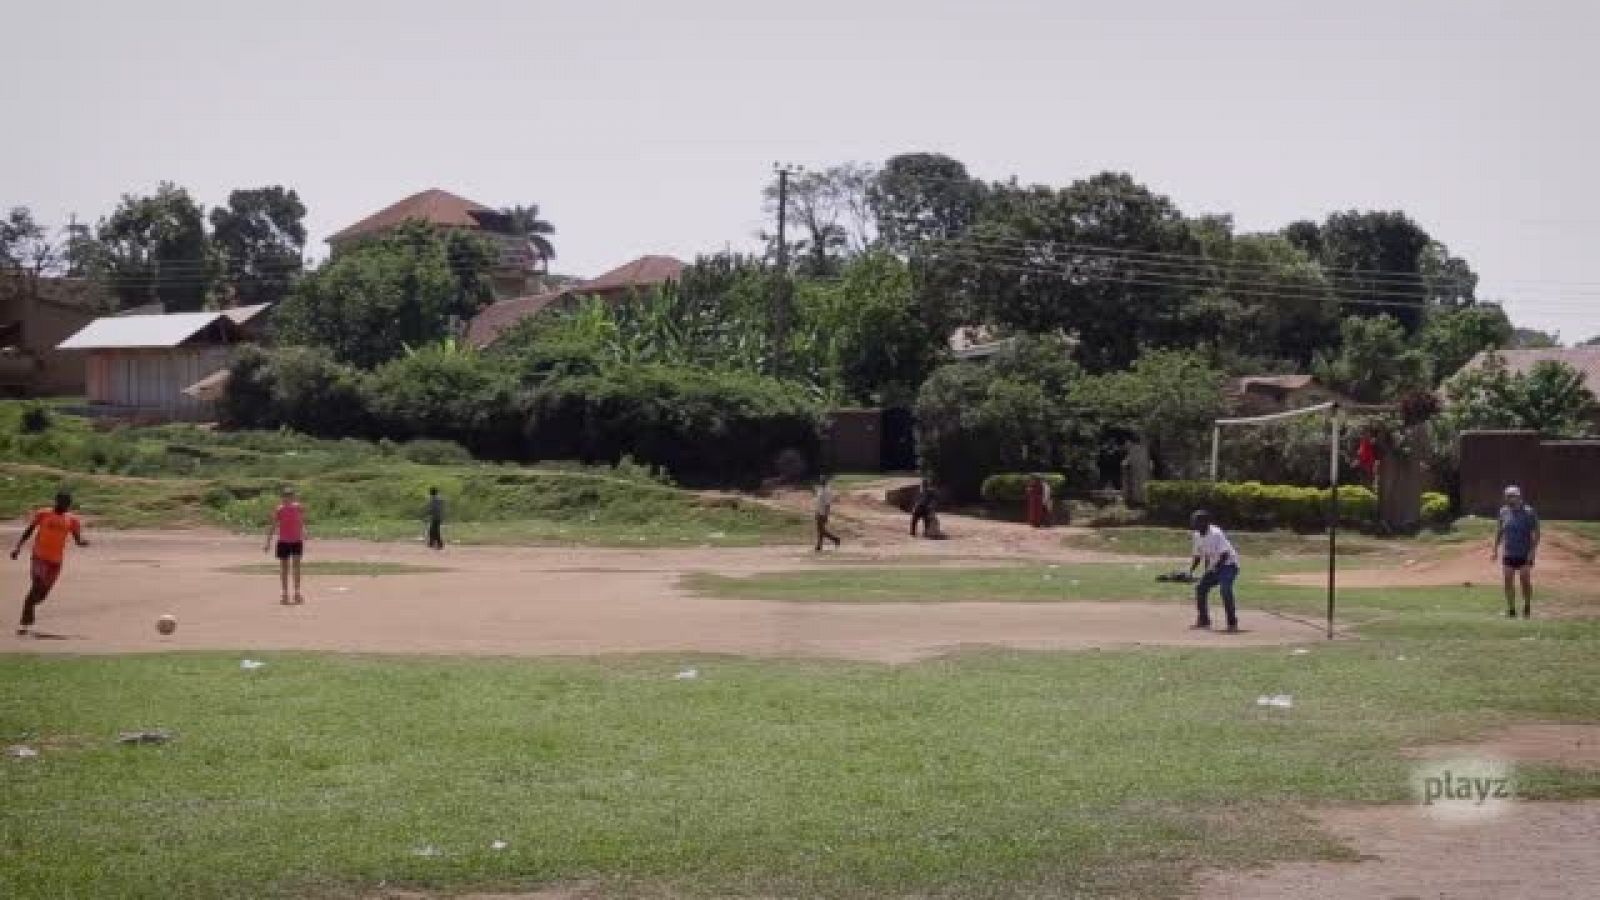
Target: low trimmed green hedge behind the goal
{"points": [[1255, 505]]}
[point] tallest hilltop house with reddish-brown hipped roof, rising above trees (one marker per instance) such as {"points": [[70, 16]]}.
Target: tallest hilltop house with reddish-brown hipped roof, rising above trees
{"points": [[519, 263]]}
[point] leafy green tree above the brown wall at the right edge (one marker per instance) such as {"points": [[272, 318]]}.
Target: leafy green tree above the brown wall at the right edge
{"points": [[1551, 400]]}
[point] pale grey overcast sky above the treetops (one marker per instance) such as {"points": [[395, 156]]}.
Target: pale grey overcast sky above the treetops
{"points": [[650, 126]]}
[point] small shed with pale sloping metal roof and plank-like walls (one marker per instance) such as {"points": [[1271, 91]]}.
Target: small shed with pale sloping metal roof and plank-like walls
{"points": [[140, 366]]}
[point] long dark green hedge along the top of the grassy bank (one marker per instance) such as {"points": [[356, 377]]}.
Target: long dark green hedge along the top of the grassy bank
{"points": [[700, 427]]}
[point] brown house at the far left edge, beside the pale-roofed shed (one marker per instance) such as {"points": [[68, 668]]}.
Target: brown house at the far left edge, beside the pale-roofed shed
{"points": [[36, 315]]}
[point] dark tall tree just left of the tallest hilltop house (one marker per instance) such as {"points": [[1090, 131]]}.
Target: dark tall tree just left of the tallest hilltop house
{"points": [[260, 238]]}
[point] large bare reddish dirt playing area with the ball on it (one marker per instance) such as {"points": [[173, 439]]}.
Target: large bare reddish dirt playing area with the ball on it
{"points": [[550, 601]]}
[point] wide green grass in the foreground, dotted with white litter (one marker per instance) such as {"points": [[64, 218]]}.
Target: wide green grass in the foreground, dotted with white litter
{"points": [[982, 776]]}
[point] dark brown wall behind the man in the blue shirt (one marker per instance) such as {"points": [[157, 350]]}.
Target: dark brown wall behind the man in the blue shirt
{"points": [[1559, 478]]}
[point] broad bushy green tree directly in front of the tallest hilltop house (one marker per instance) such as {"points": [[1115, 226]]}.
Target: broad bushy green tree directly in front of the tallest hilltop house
{"points": [[372, 302]]}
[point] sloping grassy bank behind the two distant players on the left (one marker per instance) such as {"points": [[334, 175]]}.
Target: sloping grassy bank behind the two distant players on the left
{"points": [[185, 476]]}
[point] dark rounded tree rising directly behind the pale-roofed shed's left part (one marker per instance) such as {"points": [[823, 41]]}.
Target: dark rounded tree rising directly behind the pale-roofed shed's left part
{"points": [[156, 251]]}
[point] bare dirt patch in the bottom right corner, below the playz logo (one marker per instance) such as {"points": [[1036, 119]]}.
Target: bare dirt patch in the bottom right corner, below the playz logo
{"points": [[1530, 851]]}
